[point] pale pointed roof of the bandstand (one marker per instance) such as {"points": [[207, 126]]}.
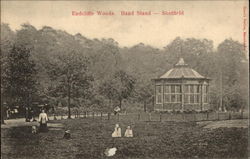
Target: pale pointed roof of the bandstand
{"points": [[181, 70]]}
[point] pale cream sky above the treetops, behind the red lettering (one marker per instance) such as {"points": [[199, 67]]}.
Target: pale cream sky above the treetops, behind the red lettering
{"points": [[213, 20]]}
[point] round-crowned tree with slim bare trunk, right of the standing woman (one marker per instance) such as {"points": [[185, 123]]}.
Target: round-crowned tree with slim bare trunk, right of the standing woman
{"points": [[72, 76]]}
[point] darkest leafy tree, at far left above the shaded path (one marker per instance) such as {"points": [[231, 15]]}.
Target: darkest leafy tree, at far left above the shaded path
{"points": [[20, 79]]}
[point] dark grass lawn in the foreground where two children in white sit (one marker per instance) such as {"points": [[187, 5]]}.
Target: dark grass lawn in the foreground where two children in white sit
{"points": [[90, 138]]}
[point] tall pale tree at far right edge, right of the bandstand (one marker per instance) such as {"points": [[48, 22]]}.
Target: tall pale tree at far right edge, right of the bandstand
{"points": [[232, 75]]}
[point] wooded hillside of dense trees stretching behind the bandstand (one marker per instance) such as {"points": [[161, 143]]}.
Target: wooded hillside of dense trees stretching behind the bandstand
{"points": [[49, 66]]}
